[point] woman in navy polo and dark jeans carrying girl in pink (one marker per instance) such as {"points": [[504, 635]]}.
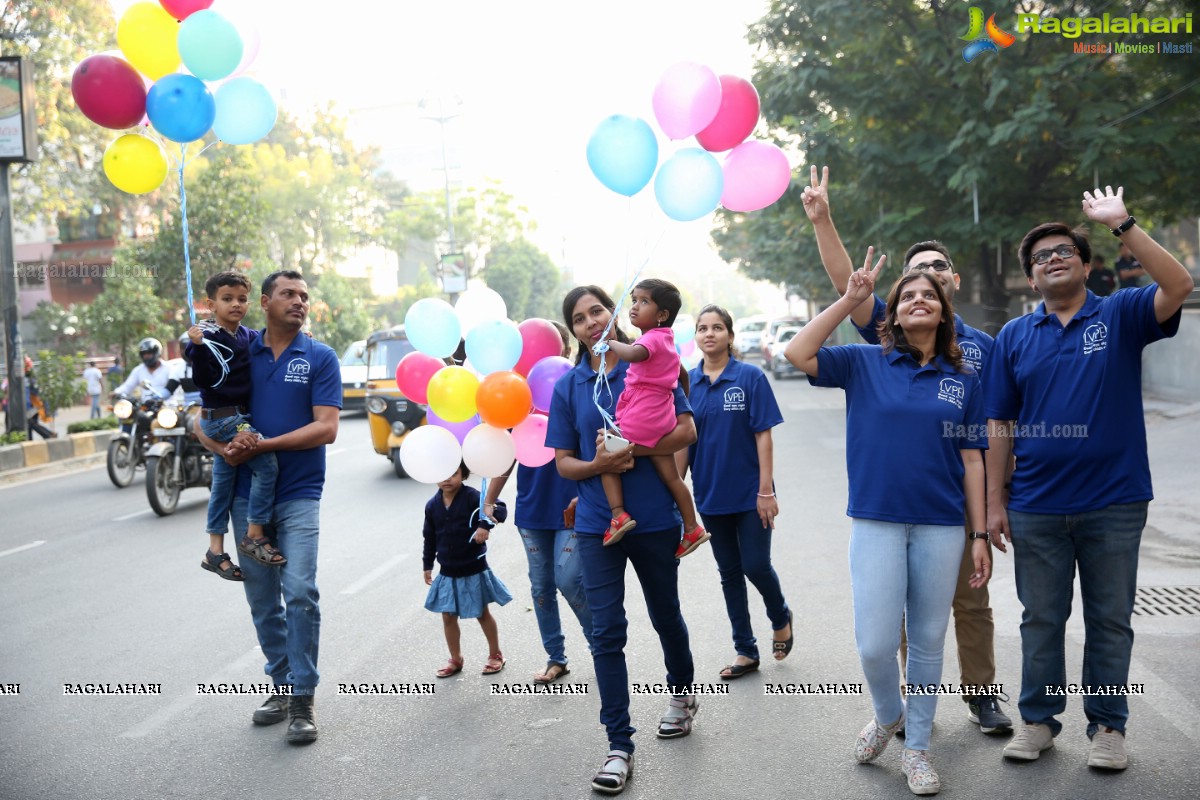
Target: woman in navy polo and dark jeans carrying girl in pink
{"points": [[574, 429]]}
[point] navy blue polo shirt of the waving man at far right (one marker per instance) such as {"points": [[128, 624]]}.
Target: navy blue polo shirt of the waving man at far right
{"points": [[1076, 395]]}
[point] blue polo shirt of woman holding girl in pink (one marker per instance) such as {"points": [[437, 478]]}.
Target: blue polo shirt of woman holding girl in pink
{"points": [[574, 422]]}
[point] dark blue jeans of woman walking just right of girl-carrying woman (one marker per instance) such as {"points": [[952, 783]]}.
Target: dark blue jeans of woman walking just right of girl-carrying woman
{"points": [[742, 549]]}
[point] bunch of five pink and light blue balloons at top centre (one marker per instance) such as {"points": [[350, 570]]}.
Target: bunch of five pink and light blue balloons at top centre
{"points": [[721, 112]]}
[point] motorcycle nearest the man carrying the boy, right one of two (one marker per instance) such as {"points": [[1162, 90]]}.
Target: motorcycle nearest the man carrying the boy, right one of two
{"points": [[177, 460]]}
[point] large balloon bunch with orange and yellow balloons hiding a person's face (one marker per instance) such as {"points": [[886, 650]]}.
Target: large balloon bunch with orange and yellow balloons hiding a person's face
{"points": [[494, 407]]}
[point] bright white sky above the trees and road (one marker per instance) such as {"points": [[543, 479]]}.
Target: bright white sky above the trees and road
{"points": [[527, 83]]}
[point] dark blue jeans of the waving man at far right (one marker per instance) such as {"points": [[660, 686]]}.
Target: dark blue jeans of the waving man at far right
{"points": [[1046, 550]]}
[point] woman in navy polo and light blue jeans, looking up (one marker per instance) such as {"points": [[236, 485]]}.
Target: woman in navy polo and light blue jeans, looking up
{"points": [[915, 430]]}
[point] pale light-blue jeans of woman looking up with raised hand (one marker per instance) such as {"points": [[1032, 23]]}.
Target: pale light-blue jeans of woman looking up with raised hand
{"points": [[903, 575]]}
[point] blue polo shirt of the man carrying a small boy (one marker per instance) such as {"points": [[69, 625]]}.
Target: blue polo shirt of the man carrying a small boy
{"points": [[281, 400]]}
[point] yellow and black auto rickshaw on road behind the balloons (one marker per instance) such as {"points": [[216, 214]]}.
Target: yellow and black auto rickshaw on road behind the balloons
{"points": [[391, 416]]}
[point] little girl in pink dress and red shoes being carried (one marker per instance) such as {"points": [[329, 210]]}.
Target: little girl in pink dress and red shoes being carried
{"points": [[646, 411]]}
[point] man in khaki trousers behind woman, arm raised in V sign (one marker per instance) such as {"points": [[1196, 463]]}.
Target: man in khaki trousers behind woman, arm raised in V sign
{"points": [[974, 629]]}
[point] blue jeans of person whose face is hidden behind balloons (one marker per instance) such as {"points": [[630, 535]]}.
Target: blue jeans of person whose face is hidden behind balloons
{"points": [[555, 567]]}
